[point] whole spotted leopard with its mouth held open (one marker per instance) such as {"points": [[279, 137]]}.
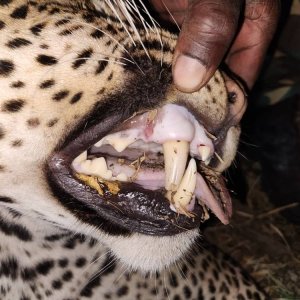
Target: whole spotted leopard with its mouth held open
{"points": [[88, 81]]}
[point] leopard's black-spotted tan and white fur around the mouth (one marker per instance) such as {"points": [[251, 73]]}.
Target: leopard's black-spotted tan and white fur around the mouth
{"points": [[63, 66]]}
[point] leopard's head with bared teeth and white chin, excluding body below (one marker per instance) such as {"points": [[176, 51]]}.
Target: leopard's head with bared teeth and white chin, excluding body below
{"points": [[78, 83]]}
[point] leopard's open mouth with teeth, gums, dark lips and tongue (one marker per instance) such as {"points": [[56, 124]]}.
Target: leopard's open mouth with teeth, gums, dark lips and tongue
{"points": [[150, 174]]}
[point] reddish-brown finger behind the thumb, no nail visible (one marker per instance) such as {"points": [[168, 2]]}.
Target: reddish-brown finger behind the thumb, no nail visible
{"points": [[248, 50]]}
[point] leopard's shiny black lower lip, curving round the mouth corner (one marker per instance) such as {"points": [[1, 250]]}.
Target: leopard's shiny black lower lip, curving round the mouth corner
{"points": [[133, 208]]}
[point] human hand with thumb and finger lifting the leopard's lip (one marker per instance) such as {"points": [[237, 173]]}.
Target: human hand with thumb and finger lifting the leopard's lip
{"points": [[237, 30]]}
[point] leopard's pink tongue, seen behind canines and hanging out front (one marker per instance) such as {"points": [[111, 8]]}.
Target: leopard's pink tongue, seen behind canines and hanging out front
{"points": [[154, 179]]}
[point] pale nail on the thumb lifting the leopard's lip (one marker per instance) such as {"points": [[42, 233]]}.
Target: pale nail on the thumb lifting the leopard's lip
{"points": [[188, 73]]}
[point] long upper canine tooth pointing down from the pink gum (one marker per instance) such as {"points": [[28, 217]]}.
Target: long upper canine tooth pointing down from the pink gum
{"points": [[175, 154]]}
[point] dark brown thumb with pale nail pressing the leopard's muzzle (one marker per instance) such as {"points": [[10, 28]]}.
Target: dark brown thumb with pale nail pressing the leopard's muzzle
{"points": [[207, 32]]}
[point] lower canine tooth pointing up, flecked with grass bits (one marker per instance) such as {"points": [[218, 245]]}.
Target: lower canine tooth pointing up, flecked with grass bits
{"points": [[187, 186]]}
